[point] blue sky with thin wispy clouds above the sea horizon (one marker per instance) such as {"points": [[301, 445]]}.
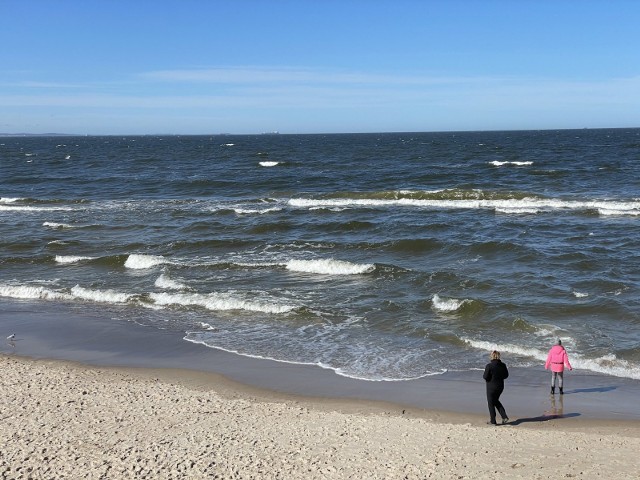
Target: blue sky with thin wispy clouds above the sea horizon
{"points": [[317, 66]]}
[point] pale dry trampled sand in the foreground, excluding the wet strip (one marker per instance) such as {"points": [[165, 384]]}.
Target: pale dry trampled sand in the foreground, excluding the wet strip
{"points": [[64, 420]]}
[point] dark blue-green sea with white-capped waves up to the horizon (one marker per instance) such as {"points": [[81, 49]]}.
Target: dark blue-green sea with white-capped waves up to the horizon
{"points": [[379, 256]]}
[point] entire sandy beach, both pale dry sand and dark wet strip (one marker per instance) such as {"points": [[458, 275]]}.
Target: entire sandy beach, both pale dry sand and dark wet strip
{"points": [[79, 402]]}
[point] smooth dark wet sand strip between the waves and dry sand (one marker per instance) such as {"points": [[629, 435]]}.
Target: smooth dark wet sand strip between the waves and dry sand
{"points": [[57, 332]]}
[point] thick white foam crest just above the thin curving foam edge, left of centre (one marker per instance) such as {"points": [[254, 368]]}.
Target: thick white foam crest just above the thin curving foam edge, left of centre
{"points": [[218, 302]]}
